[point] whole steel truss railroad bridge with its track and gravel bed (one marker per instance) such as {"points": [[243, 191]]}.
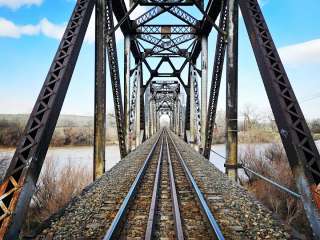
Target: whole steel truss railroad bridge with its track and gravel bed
{"points": [[162, 188]]}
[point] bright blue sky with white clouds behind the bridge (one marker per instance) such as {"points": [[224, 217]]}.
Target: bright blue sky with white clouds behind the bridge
{"points": [[30, 31]]}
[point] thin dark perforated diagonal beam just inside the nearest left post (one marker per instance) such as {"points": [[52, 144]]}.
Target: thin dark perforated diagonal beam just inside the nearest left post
{"points": [[115, 79]]}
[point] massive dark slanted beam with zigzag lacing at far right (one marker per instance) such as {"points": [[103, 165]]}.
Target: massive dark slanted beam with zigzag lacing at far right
{"points": [[297, 140]]}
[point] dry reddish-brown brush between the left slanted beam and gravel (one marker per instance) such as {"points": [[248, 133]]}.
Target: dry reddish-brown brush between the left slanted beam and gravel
{"points": [[54, 190]]}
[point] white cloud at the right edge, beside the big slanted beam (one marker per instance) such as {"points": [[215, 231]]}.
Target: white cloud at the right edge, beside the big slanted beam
{"points": [[301, 53]]}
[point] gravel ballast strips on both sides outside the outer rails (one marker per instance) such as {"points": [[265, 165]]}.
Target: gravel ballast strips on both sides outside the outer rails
{"points": [[89, 215]]}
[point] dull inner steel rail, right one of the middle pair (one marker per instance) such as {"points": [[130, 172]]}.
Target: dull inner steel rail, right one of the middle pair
{"points": [[174, 199]]}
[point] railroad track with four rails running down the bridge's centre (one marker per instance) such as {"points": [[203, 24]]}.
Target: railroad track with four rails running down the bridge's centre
{"points": [[164, 201]]}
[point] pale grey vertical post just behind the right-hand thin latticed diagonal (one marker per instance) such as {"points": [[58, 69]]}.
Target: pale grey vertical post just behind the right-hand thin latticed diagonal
{"points": [[204, 91]]}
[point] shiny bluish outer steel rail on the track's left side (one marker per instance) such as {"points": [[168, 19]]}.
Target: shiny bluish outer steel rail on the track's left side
{"points": [[116, 223]]}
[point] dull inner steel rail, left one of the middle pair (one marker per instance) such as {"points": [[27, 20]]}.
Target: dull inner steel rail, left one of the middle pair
{"points": [[154, 200]]}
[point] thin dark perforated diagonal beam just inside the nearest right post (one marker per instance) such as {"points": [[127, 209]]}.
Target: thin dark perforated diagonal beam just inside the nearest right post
{"points": [[215, 82]]}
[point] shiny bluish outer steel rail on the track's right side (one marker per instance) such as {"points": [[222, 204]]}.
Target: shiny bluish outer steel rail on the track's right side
{"points": [[201, 199]]}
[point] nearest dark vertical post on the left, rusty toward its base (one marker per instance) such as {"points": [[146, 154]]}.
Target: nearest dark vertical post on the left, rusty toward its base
{"points": [[100, 92]]}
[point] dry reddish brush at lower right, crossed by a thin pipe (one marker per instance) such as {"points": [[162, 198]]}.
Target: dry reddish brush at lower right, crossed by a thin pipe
{"points": [[273, 164]]}
